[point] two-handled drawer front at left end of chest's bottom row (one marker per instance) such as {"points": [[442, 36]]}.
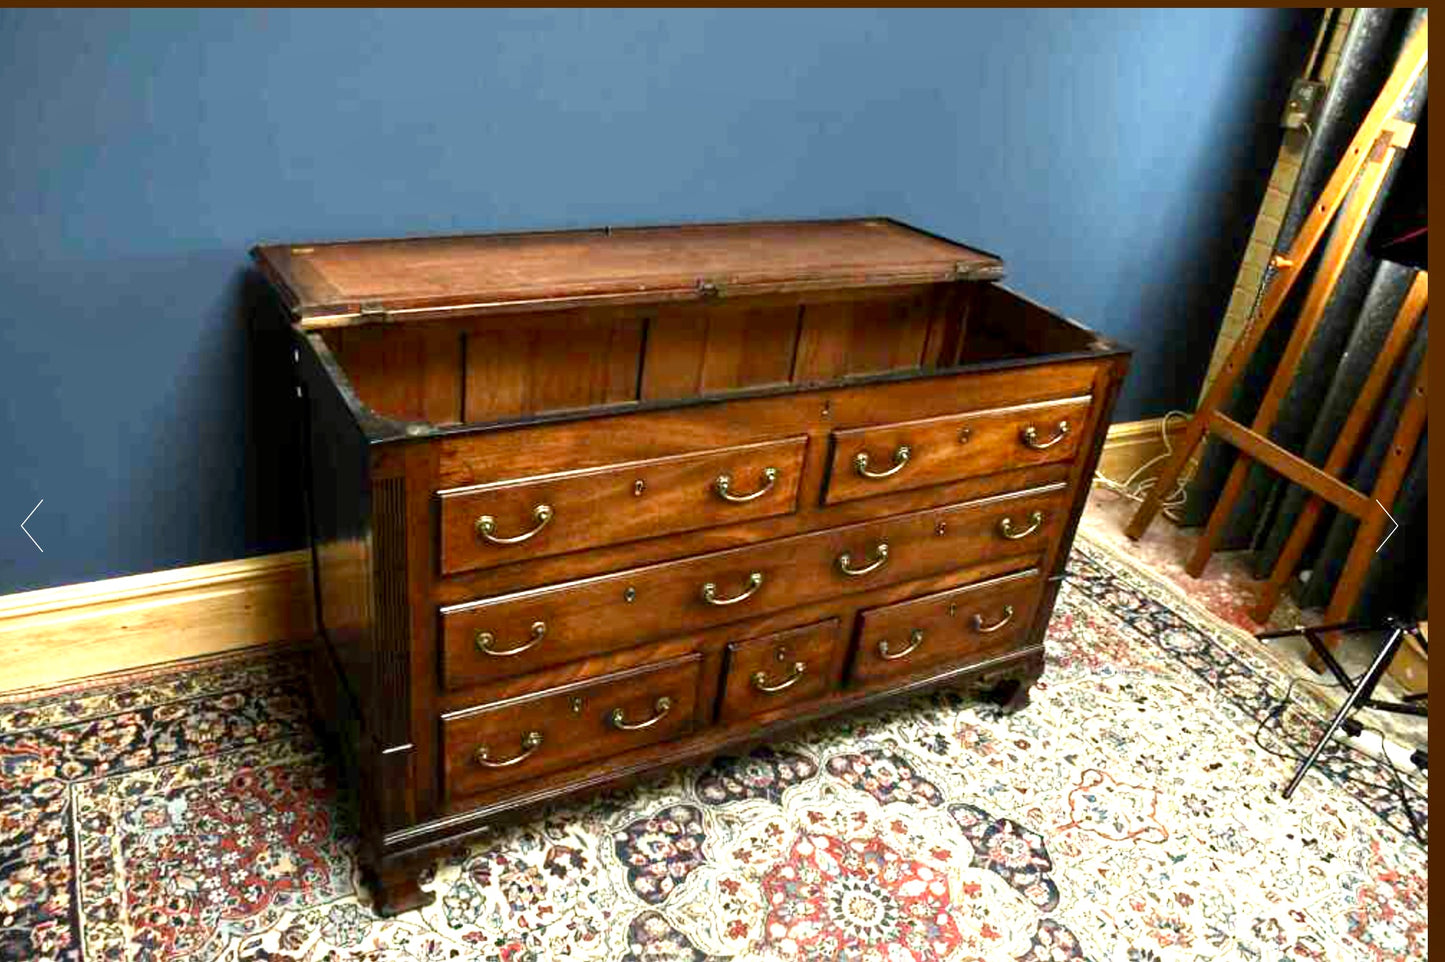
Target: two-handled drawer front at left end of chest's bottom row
{"points": [[563, 727]]}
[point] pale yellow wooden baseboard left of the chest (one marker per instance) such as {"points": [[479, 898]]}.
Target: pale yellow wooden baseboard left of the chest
{"points": [[61, 635]]}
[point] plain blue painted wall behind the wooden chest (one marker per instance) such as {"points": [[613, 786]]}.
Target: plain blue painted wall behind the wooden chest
{"points": [[1113, 158]]}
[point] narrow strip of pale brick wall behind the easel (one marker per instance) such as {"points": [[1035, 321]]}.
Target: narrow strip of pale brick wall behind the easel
{"points": [[1268, 222]]}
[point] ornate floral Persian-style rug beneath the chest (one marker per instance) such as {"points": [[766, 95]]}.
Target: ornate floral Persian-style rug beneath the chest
{"points": [[1132, 812]]}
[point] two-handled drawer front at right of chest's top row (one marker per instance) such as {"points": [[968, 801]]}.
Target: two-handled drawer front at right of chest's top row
{"points": [[915, 454]]}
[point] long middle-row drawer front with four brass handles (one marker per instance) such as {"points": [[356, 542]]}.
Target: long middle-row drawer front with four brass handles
{"points": [[535, 629]]}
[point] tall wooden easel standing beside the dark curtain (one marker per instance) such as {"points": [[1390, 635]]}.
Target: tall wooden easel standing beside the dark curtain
{"points": [[1369, 158]]}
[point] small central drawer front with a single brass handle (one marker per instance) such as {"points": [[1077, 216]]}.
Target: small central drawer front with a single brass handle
{"points": [[781, 671]]}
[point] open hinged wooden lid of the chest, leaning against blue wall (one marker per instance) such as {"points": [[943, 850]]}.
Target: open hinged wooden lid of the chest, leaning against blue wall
{"points": [[374, 281]]}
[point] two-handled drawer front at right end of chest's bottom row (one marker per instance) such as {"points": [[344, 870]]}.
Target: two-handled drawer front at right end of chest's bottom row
{"points": [[952, 628]]}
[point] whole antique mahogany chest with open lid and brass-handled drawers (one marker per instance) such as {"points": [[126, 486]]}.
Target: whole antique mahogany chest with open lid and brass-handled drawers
{"points": [[587, 505]]}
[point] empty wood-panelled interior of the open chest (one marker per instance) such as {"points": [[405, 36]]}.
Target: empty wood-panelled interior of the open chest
{"points": [[496, 366]]}
